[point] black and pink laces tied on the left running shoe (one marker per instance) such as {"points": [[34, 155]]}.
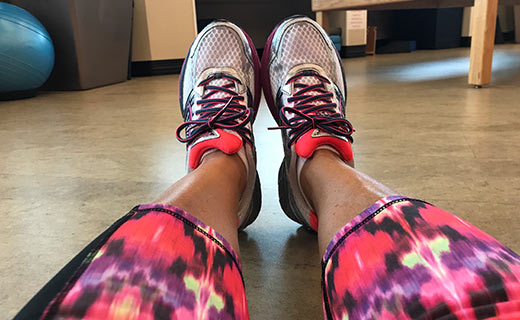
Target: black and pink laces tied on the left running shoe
{"points": [[224, 113]]}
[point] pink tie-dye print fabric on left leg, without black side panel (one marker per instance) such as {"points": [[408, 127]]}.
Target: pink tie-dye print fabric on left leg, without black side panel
{"points": [[161, 263]]}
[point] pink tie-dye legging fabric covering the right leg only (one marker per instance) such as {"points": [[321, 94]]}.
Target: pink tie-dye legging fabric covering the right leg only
{"points": [[406, 259]]}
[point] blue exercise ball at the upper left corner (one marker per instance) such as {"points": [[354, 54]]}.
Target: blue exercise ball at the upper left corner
{"points": [[26, 51]]}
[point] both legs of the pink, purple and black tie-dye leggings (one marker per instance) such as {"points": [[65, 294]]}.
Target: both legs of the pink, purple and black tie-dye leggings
{"points": [[399, 259]]}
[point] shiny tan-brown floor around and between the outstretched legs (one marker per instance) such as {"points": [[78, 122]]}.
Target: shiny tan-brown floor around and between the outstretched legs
{"points": [[73, 162]]}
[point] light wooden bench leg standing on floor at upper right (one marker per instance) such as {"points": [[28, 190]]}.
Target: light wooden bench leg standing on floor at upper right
{"points": [[482, 41]]}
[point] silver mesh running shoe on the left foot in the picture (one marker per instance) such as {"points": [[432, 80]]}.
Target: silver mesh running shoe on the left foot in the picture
{"points": [[219, 97]]}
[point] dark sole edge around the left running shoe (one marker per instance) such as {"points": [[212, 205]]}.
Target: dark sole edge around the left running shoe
{"points": [[256, 201]]}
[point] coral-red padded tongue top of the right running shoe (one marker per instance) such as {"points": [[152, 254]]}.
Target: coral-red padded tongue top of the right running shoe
{"points": [[313, 139]]}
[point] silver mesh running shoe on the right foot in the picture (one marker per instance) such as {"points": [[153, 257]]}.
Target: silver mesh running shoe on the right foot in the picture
{"points": [[305, 89]]}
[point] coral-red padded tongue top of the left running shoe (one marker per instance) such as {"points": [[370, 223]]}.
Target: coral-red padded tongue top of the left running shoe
{"points": [[219, 139]]}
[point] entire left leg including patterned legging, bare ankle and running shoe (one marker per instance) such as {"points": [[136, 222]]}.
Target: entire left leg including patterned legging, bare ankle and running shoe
{"points": [[171, 259]]}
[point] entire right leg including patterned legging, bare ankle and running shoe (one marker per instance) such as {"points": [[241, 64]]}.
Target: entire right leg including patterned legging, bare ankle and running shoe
{"points": [[399, 258]]}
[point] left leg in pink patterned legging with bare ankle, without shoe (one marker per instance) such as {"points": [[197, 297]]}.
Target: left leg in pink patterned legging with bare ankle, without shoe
{"points": [[159, 260]]}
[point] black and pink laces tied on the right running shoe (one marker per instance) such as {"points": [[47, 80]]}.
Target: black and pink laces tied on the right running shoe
{"points": [[311, 115]]}
